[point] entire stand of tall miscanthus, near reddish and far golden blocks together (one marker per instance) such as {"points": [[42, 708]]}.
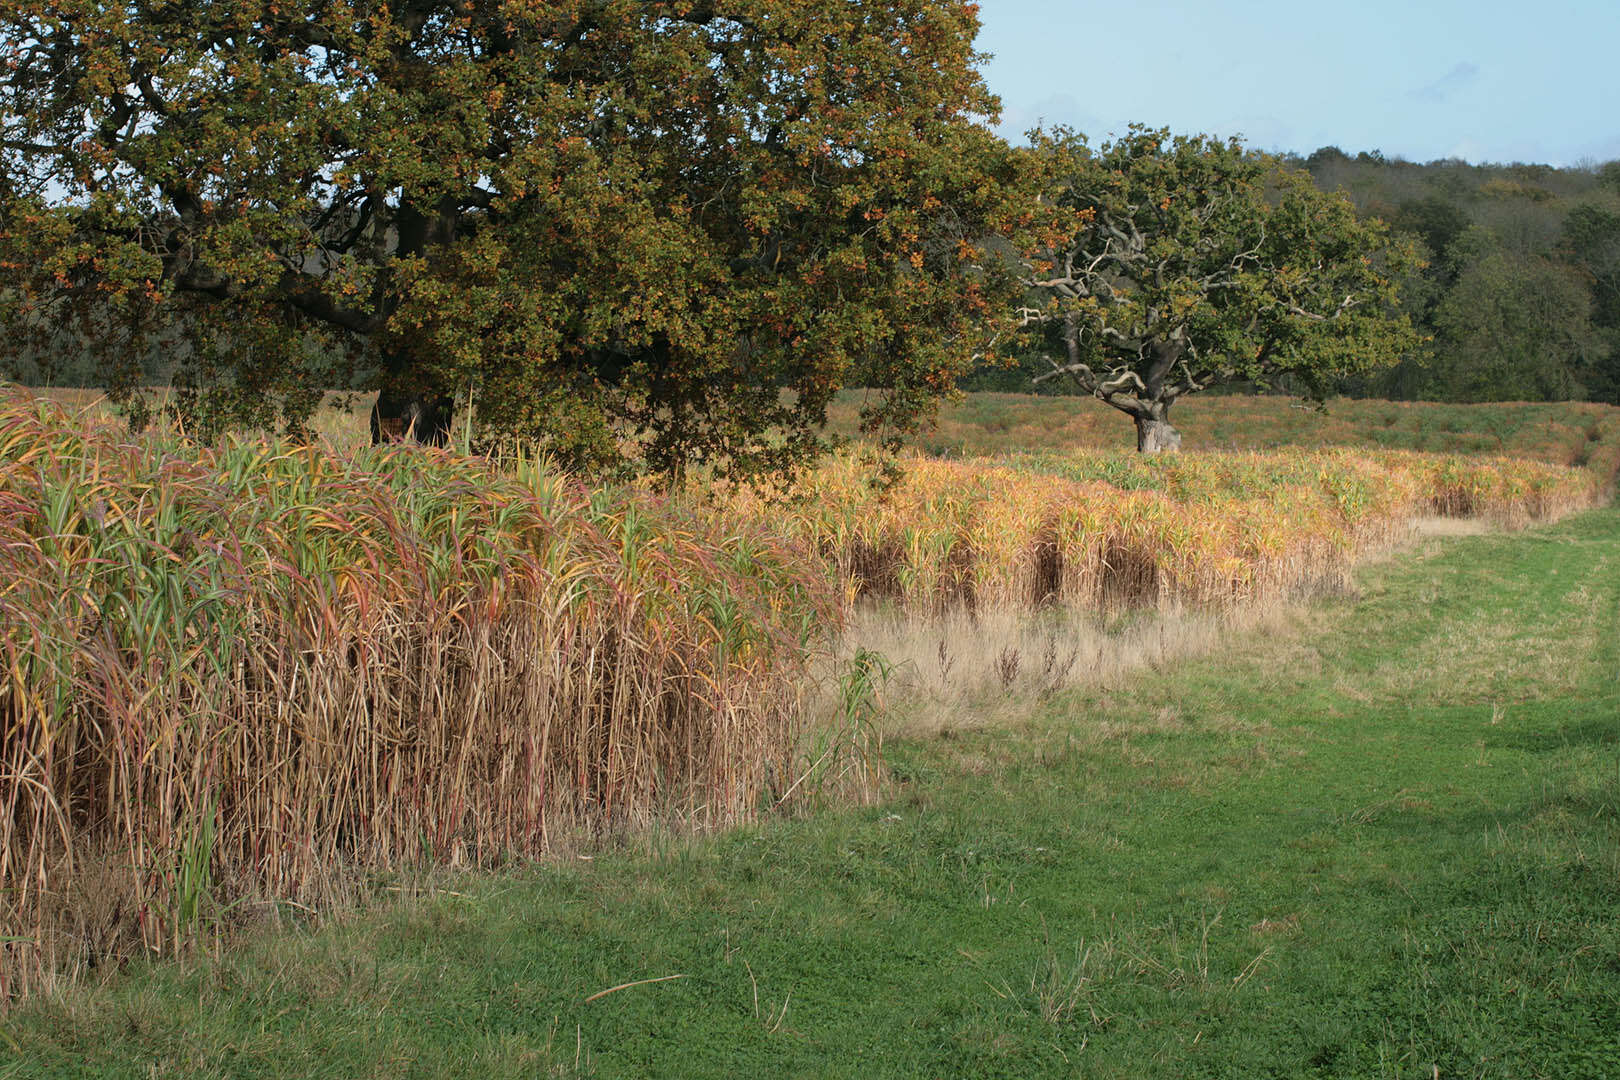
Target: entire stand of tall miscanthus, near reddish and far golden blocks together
{"points": [[252, 674]]}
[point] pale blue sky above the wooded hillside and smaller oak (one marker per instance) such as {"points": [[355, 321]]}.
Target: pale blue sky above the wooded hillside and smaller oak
{"points": [[1488, 82]]}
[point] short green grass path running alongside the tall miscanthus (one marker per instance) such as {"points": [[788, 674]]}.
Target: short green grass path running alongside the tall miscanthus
{"points": [[1384, 846]]}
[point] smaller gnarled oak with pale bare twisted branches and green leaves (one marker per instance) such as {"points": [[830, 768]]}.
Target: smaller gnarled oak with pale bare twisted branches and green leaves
{"points": [[1190, 263]]}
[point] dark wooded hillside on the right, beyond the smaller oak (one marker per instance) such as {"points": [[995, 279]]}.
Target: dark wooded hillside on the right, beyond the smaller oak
{"points": [[1520, 299]]}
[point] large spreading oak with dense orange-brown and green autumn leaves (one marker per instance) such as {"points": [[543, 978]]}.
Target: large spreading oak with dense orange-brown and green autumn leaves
{"points": [[663, 226]]}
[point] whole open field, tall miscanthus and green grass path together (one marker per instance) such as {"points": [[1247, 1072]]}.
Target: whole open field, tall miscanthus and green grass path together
{"points": [[1041, 757]]}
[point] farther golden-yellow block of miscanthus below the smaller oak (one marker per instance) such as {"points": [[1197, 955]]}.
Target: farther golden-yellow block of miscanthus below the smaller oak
{"points": [[1107, 532]]}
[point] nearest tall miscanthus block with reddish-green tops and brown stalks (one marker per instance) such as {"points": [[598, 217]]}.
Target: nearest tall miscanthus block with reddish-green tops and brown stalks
{"points": [[242, 673]]}
